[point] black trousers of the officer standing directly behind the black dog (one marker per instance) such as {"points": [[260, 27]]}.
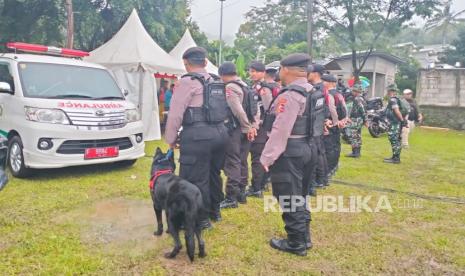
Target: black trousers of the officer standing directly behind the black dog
{"points": [[202, 154]]}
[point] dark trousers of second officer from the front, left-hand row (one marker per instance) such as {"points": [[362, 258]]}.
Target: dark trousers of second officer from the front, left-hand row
{"points": [[237, 150]]}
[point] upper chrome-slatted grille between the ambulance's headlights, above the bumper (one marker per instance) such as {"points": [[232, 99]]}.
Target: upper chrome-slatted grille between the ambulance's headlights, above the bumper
{"points": [[115, 119]]}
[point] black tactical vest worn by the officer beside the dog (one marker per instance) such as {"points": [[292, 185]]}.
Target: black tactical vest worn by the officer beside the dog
{"points": [[214, 109]]}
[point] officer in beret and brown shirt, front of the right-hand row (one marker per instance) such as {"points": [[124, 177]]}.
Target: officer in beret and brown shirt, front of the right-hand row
{"points": [[287, 153]]}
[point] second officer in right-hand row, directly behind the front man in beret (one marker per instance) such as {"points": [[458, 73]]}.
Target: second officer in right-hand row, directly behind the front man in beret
{"points": [[320, 175]]}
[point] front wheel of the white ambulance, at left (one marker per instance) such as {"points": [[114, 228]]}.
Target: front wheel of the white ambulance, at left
{"points": [[16, 158]]}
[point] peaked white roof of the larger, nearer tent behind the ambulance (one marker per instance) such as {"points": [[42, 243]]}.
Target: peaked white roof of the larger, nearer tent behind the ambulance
{"points": [[131, 47]]}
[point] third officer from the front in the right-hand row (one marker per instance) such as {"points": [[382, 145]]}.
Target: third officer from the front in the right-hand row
{"points": [[332, 141]]}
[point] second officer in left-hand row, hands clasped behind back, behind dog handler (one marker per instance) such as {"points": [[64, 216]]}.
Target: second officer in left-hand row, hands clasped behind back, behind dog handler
{"points": [[237, 149]]}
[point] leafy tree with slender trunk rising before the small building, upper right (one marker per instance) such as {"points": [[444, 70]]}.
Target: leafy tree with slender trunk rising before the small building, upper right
{"points": [[361, 24]]}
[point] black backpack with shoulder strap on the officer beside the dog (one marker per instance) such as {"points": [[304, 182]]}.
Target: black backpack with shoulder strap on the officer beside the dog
{"points": [[214, 106]]}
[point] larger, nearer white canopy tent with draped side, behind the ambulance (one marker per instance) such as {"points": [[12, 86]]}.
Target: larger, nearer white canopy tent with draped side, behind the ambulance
{"points": [[134, 57]]}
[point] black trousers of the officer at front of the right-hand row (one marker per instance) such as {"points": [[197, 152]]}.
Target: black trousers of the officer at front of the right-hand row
{"points": [[289, 177]]}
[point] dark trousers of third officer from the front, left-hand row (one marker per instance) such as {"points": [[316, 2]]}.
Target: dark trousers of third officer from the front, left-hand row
{"points": [[259, 176]]}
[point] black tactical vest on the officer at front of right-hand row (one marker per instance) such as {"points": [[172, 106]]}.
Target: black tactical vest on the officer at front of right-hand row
{"points": [[301, 125]]}
